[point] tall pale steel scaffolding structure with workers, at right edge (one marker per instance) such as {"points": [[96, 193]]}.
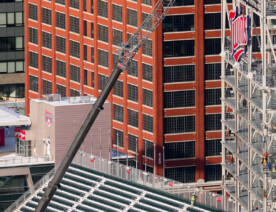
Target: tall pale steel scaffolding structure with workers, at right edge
{"points": [[249, 110]]}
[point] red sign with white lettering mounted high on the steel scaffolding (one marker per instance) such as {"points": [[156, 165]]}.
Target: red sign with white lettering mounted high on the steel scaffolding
{"points": [[240, 33]]}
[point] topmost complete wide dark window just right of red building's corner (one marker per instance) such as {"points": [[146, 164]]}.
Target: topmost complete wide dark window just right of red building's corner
{"points": [[177, 23]]}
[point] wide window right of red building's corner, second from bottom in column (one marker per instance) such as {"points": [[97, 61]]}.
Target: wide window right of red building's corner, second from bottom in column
{"points": [[177, 150]]}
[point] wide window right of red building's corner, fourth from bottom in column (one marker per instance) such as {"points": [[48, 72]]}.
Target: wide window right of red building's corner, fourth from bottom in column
{"points": [[176, 99]]}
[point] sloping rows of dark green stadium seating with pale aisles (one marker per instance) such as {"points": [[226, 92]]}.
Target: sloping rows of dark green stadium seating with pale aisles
{"points": [[84, 189]]}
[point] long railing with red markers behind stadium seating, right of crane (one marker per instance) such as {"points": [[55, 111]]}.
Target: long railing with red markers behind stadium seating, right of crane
{"points": [[179, 189]]}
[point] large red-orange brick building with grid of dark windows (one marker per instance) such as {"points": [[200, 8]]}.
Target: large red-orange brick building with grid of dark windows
{"points": [[169, 99]]}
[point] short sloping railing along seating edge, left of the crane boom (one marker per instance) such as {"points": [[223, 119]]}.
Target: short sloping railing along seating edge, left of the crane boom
{"points": [[31, 191]]}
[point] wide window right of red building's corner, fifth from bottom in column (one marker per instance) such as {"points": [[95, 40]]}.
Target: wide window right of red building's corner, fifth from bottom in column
{"points": [[183, 73]]}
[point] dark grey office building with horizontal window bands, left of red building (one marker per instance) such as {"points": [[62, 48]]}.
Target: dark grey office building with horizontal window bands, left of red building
{"points": [[12, 77]]}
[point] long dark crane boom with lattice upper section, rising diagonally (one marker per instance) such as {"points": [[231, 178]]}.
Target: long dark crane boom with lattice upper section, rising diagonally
{"points": [[126, 54]]}
